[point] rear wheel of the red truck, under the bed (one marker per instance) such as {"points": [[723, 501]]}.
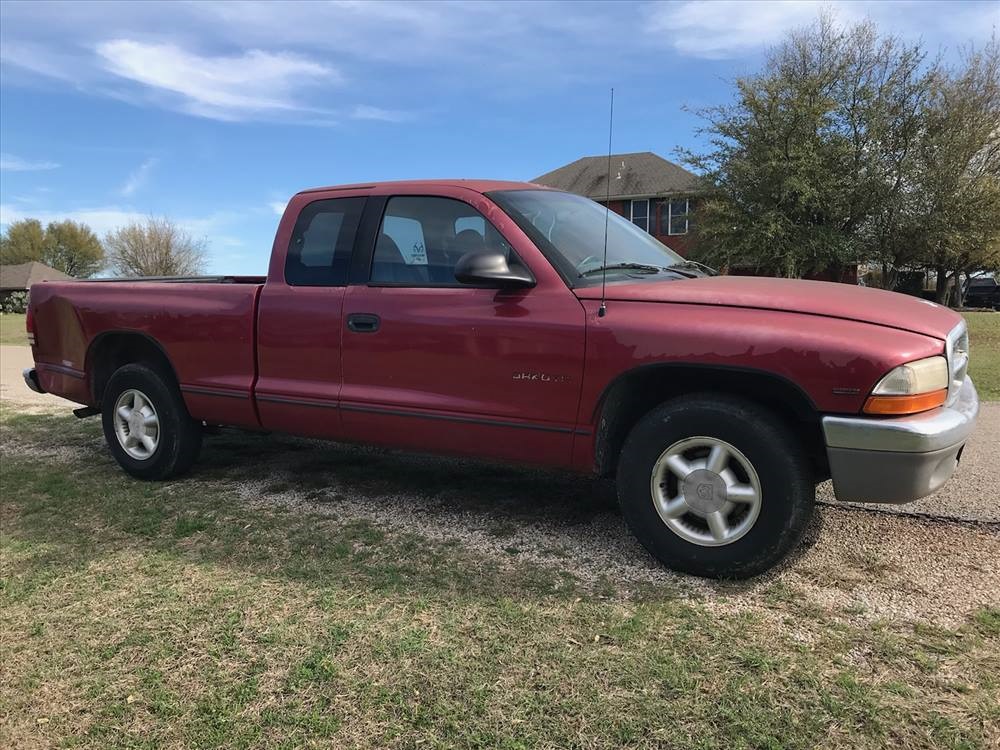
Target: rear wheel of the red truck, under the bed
{"points": [[160, 446]]}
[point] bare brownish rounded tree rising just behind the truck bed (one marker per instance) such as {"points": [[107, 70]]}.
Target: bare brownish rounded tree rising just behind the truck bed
{"points": [[157, 247]]}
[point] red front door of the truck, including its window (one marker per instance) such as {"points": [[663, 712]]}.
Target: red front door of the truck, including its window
{"points": [[436, 365]]}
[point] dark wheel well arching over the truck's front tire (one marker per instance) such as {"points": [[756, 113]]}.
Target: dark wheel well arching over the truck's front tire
{"points": [[636, 393]]}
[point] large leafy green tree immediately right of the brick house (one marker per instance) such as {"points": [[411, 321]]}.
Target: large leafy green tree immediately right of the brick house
{"points": [[808, 167]]}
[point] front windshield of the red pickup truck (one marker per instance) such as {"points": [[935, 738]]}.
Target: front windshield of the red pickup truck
{"points": [[569, 229]]}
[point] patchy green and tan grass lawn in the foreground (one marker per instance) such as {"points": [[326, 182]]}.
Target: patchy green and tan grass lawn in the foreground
{"points": [[191, 614]]}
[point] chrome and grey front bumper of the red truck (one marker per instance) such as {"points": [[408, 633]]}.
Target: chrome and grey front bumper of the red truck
{"points": [[901, 459]]}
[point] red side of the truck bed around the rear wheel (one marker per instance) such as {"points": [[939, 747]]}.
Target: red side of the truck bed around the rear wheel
{"points": [[204, 326]]}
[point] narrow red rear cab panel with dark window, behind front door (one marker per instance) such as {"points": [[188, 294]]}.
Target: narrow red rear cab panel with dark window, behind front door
{"points": [[300, 322]]}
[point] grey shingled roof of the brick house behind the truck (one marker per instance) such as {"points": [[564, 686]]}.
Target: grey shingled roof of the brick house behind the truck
{"points": [[632, 176]]}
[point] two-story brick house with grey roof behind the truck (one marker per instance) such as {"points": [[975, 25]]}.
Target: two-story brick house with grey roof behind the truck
{"points": [[653, 193]]}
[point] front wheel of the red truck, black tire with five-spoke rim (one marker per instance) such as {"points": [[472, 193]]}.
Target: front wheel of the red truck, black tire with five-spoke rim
{"points": [[716, 530]]}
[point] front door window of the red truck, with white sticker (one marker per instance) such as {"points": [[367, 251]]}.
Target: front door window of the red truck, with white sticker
{"points": [[422, 238]]}
